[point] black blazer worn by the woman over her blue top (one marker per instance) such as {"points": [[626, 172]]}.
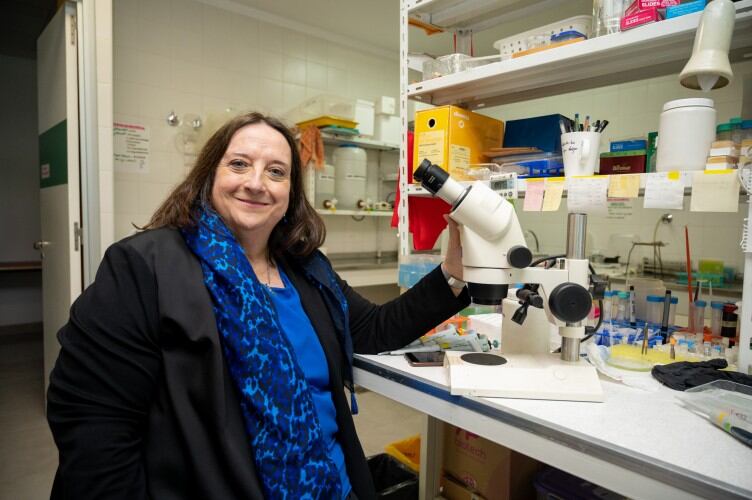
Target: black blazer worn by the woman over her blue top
{"points": [[140, 402]]}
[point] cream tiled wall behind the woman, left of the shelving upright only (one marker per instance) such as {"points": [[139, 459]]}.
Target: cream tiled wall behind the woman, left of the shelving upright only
{"points": [[190, 57]]}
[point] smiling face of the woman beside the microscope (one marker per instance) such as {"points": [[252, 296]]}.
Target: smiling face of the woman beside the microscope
{"points": [[251, 188]]}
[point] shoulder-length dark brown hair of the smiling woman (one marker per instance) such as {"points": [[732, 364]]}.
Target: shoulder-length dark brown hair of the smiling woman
{"points": [[300, 232]]}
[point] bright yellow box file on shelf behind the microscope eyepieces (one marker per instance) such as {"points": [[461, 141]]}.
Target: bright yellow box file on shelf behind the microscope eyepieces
{"points": [[454, 138]]}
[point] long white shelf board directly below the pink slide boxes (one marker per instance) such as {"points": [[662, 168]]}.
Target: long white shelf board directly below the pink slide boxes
{"points": [[648, 51]]}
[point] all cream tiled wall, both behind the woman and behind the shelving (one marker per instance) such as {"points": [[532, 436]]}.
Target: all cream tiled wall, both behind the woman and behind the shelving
{"points": [[195, 58]]}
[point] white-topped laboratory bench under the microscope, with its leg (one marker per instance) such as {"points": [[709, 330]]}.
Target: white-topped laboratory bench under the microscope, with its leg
{"points": [[640, 444]]}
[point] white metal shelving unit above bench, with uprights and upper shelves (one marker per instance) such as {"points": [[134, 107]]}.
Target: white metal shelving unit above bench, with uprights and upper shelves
{"points": [[648, 51]]}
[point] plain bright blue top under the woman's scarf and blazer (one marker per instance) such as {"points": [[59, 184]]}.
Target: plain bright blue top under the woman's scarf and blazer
{"points": [[310, 354]]}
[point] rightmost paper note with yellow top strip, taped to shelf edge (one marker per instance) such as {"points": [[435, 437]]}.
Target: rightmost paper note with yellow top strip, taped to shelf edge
{"points": [[715, 191]]}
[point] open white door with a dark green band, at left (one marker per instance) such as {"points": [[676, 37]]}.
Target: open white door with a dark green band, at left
{"points": [[59, 177]]}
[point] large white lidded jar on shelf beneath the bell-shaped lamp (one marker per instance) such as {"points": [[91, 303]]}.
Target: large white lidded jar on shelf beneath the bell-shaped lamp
{"points": [[685, 134]]}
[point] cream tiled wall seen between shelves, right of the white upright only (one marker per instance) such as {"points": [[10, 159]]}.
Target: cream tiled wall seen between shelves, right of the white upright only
{"points": [[633, 109]]}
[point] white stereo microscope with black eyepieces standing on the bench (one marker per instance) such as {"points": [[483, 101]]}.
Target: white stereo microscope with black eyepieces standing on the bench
{"points": [[495, 257]]}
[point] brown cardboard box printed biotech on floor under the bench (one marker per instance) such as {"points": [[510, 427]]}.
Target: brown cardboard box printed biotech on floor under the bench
{"points": [[487, 469]]}
